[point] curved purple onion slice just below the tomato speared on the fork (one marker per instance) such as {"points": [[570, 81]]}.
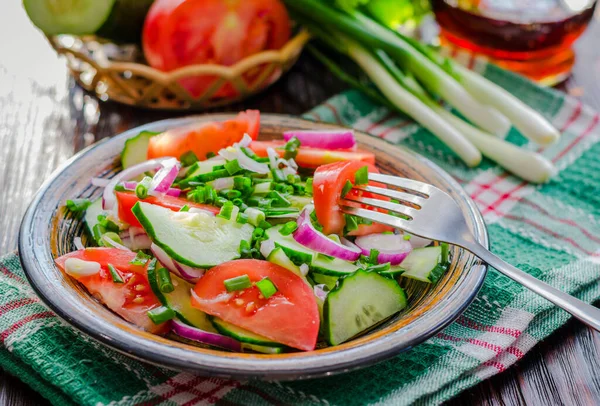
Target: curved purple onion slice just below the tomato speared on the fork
{"points": [[308, 236]]}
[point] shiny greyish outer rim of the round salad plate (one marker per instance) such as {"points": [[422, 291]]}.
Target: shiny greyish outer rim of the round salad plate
{"points": [[299, 365]]}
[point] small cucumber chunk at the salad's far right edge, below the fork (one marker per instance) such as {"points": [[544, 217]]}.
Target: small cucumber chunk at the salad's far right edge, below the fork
{"points": [[424, 264]]}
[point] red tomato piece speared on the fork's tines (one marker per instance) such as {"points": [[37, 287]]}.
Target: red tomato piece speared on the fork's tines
{"points": [[328, 182]]}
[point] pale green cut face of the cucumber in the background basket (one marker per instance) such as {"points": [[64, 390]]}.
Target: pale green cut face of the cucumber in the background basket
{"points": [[78, 17]]}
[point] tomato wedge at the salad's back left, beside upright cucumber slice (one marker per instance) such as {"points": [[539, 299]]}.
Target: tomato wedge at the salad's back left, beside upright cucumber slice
{"points": [[206, 137]]}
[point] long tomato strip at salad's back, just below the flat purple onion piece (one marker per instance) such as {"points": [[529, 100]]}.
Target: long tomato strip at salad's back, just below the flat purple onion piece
{"points": [[313, 157]]}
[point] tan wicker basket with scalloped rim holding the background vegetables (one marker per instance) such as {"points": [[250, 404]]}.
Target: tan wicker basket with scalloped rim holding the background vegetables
{"points": [[119, 73]]}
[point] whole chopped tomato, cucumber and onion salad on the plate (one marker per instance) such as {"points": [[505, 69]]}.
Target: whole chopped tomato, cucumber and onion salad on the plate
{"points": [[227, 241]]}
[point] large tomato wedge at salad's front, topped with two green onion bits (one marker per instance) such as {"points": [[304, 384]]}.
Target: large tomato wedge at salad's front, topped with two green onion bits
{"points": [[290, 316]]}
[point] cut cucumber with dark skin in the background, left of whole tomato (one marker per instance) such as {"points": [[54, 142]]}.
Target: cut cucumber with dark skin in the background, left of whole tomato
{"points": [[117, 20]]}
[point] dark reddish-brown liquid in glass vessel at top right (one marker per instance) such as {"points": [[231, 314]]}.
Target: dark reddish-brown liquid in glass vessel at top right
{"points": [[513, 29]]}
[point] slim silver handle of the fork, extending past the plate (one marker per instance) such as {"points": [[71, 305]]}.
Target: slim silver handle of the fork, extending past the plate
{"points": [[587, 313]]}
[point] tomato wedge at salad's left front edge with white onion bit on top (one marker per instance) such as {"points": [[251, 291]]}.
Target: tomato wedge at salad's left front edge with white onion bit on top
{"points": [[131, 299]]}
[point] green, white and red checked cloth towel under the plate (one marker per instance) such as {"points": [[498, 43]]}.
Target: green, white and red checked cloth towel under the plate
{"points": [[551, 231]]}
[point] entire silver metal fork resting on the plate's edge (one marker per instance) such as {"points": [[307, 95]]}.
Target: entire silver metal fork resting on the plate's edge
{"points": [[428, 212]]}
